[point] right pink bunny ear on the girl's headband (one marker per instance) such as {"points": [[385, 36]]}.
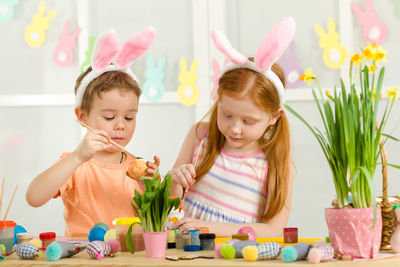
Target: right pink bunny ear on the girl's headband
{"points": [[274, 43]]}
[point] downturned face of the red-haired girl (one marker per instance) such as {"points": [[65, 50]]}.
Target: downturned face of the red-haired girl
{"points": [[242, 122]]}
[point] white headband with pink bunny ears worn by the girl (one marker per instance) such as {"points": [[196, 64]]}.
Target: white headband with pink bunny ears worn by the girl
{"points": [[269, 51]]}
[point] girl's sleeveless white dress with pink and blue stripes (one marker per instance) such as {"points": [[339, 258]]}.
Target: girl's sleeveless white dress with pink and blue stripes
{"points": [[233, 190]]}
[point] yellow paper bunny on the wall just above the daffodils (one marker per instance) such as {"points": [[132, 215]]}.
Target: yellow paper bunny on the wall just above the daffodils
{"points": [[335, 54]]}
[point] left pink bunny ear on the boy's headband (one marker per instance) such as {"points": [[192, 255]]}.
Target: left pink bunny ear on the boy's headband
{"points": [[104, 50]]}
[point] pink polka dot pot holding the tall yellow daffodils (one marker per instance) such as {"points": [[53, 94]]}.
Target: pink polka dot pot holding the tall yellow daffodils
{"points": [[351, 231]]}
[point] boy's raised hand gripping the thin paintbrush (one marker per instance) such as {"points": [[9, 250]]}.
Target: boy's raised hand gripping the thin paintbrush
{"points": [[94, 141]]}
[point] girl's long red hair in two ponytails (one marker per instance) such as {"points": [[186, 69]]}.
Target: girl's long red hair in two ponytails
{"points": [[240, 82]]}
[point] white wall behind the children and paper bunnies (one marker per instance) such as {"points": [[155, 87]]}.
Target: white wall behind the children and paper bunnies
{"points": [[33, 136]]}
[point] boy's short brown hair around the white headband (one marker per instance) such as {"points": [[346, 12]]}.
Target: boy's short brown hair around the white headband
{"points": [[105, 82]]}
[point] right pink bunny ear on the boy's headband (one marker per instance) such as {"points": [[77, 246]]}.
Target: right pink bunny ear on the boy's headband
{"points": [[136, 46]]}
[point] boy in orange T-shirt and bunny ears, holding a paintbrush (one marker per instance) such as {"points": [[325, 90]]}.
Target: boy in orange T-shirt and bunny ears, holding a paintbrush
{"points": [[92, 180]]}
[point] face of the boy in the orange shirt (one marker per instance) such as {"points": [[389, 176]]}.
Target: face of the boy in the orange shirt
{"points": [[115, 112]]}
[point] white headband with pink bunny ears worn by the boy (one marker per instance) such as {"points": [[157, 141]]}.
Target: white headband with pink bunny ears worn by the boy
{"points": [[106, 48]]}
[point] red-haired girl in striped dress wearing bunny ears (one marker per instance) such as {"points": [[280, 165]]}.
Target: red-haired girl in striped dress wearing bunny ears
{"points": [[244, 173]]}
